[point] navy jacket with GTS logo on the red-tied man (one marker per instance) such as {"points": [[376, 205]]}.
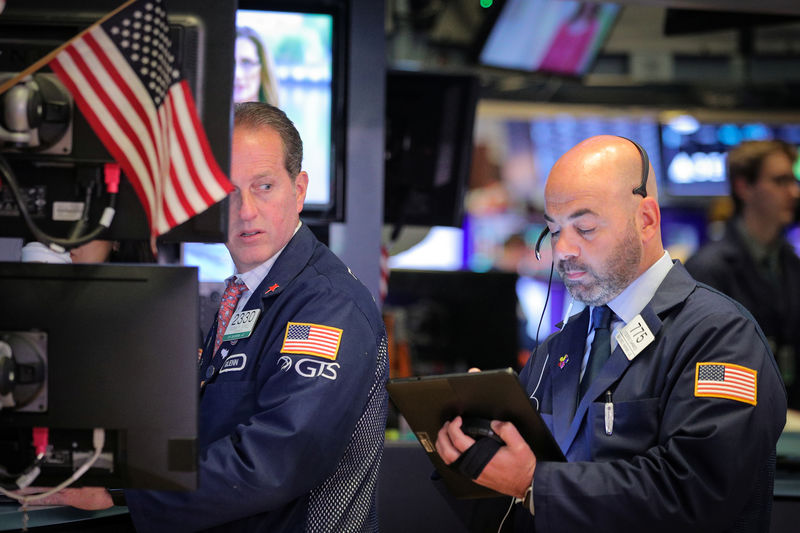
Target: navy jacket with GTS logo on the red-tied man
{"points": [[288, 441]]}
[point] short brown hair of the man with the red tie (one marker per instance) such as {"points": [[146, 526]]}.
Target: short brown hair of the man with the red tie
{"points": [[259, 115]]}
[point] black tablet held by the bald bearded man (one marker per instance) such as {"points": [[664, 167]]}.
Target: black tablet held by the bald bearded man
{"points": [[427, 402]]}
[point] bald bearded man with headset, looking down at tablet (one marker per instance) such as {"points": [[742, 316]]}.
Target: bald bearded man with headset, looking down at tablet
{"points": [[674, 428]]}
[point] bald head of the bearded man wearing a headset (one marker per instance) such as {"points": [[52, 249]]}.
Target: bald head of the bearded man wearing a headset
{"points": [[604, 234]]}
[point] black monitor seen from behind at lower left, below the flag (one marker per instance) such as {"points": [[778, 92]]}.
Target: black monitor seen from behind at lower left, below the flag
{"points": [[102, 346]]}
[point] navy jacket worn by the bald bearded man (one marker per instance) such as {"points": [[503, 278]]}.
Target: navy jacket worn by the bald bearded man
{"points": [[674, 461]]}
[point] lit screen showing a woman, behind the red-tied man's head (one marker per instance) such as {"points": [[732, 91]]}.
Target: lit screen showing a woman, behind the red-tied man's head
{"points": [[292, 58]]}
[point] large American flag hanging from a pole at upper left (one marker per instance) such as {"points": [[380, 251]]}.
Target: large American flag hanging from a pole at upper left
{"points": [[121, 73]]}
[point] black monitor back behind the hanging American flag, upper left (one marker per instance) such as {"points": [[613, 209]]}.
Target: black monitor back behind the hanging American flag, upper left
{"points": [[65, 170]]}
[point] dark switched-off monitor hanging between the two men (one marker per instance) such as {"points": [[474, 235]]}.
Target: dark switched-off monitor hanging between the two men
{"points": [[429, 125]]}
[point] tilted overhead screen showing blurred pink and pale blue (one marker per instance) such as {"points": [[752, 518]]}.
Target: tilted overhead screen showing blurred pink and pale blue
{"points": [[557, 36]]}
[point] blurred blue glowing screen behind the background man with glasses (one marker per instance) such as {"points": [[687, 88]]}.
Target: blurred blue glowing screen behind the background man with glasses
{"points": [[694, 152]]}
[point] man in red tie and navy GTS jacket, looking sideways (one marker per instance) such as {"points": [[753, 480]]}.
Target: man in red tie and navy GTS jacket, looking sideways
{"points": [[293, 411]]}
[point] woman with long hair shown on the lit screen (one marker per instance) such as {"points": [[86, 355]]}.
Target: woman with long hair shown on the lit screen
{"points": [[254, 75]]}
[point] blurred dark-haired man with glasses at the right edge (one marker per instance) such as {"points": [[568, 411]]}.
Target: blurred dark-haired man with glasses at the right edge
{"points": [[753, 262]]}
